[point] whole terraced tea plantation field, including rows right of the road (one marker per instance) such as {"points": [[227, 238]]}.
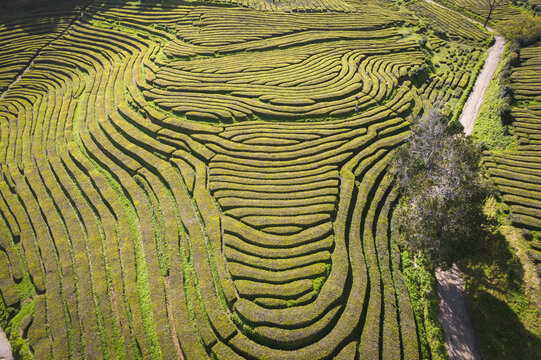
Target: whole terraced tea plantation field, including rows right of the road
{"points": [[209, 179]]}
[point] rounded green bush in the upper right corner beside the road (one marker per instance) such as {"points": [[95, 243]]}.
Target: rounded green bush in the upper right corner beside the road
{"points": [[524, 29]]}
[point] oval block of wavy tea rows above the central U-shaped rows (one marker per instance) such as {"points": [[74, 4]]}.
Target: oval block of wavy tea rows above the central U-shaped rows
{"points": [[326, 82]]}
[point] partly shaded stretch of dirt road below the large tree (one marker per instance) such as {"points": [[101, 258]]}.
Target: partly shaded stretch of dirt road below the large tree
{"points": [[458, 331]]}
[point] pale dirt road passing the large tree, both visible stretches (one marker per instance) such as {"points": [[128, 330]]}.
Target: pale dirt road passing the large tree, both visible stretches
{"points": [[459, 333]]}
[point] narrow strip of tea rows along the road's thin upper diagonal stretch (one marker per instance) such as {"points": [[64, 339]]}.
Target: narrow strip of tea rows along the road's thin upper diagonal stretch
{"points": [[446, 24]]}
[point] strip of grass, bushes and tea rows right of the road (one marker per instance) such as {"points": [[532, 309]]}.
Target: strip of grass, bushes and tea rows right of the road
{"points": [[501, 280]]}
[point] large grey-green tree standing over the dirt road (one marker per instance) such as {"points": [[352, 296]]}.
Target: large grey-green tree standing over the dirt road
{"points": [[442, 192]]}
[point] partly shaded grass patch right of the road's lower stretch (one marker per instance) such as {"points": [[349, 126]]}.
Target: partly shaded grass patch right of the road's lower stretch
{"points": [[507, 321]]}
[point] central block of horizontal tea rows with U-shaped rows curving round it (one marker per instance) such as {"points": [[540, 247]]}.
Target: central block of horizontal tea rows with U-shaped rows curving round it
{"points": [[310, 307]]}
